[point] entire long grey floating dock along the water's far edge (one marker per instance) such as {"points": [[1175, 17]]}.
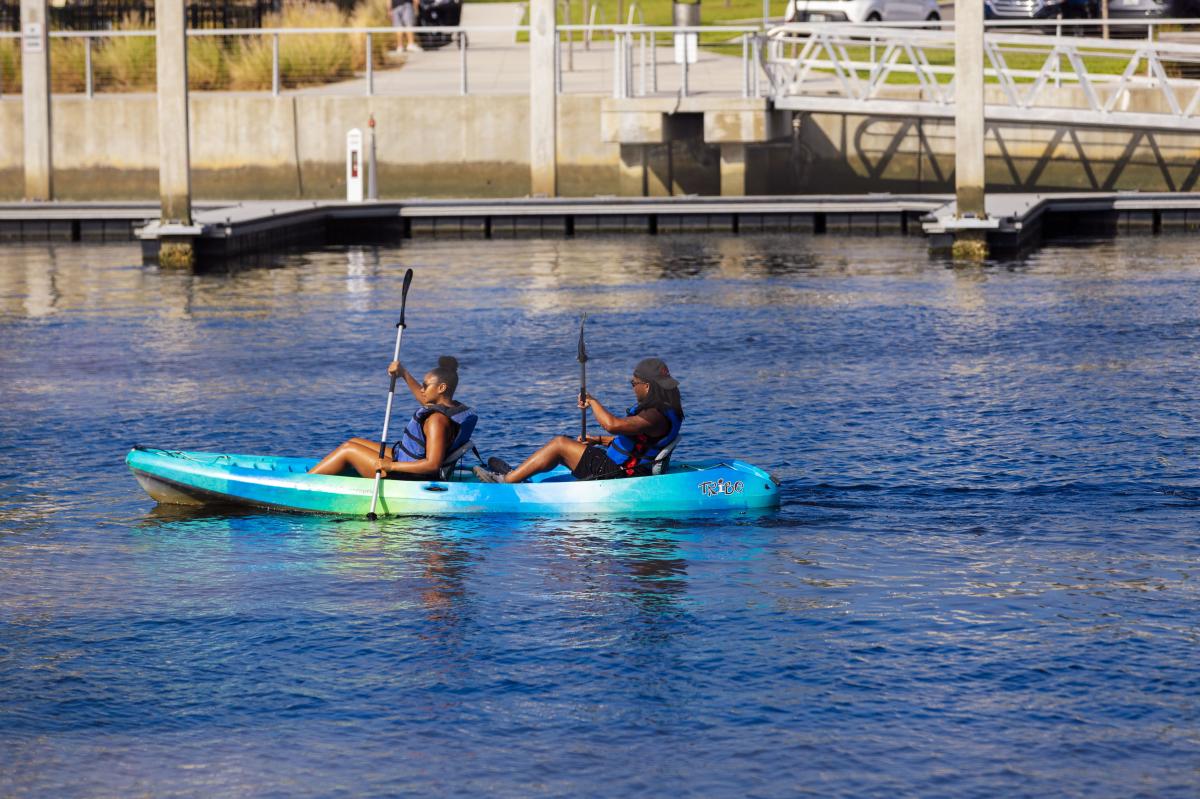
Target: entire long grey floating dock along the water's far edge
{"points": [[225, 231]]}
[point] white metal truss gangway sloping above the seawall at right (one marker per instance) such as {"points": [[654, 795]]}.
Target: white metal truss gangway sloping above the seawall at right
{"points": [[1147, 83]]}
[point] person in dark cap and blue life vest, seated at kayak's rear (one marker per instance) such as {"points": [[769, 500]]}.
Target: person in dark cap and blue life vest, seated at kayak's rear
{"points": [[650, 426]]}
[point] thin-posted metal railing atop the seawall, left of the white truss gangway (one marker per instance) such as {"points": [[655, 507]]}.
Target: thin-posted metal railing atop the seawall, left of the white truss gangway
{"points": [[617, 61]]}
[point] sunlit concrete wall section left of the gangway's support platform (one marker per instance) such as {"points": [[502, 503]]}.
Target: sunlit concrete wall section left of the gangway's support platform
{"points": [[260, 147]]}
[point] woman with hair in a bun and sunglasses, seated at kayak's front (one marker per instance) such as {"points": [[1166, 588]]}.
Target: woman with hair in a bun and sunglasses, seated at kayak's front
{"points": [[439, 428]]}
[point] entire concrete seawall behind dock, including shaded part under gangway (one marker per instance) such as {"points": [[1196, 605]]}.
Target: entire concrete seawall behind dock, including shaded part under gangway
{"points": [[253, 146]]}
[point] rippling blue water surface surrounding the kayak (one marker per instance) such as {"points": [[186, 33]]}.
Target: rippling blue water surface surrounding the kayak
{"points": [[983, 581]]}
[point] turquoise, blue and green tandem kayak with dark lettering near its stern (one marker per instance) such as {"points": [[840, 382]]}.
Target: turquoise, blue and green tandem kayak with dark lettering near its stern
{"points": [[181, 478]]}
